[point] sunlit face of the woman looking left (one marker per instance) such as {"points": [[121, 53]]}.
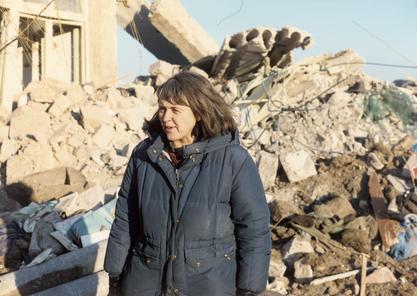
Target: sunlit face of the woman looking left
{"points": [[177, 122]]}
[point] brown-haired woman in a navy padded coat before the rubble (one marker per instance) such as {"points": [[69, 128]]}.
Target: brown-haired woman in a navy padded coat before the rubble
{"points": [[191, 218]]}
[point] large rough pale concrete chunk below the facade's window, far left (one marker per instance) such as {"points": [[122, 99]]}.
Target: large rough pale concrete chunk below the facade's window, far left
{"points": [[29, 121]]}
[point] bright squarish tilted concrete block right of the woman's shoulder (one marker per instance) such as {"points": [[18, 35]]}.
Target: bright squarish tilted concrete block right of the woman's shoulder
{"points": [[298, 165]]}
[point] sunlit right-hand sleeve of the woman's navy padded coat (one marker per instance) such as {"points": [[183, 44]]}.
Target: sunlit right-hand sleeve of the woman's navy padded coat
{"points": [[250, 214]]}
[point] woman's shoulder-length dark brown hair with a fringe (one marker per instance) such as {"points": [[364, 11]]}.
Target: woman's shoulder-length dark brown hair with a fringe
{"points": [[193, 90]]}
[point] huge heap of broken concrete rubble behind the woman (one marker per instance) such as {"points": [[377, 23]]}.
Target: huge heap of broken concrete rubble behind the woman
{"points": [[336, 151]]}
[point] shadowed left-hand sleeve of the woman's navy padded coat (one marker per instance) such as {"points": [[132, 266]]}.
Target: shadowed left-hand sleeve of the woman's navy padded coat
{"points": [[122, 232]]}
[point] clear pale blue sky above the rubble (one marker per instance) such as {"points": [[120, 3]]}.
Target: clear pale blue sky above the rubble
{"points": [[381, 31]]}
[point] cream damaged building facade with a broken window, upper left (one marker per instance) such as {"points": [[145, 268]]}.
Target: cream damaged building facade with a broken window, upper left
{"points": [[66, 40]]}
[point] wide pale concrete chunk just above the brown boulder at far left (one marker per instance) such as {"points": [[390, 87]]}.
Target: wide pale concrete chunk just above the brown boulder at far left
{"points": [[34, 158]]}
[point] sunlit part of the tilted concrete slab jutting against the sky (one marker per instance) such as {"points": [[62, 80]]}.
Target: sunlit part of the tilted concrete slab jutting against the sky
{"points": [[173, 21]]}
